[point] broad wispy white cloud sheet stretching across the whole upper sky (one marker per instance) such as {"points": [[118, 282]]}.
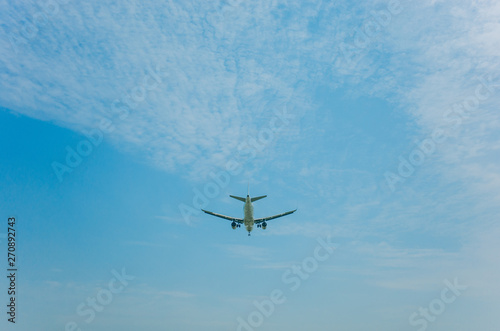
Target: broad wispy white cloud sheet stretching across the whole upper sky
{"points": [[223, 65]]}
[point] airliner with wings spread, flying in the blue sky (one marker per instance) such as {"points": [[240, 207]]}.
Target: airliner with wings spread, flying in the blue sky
{"points": [[248, 219]]}
